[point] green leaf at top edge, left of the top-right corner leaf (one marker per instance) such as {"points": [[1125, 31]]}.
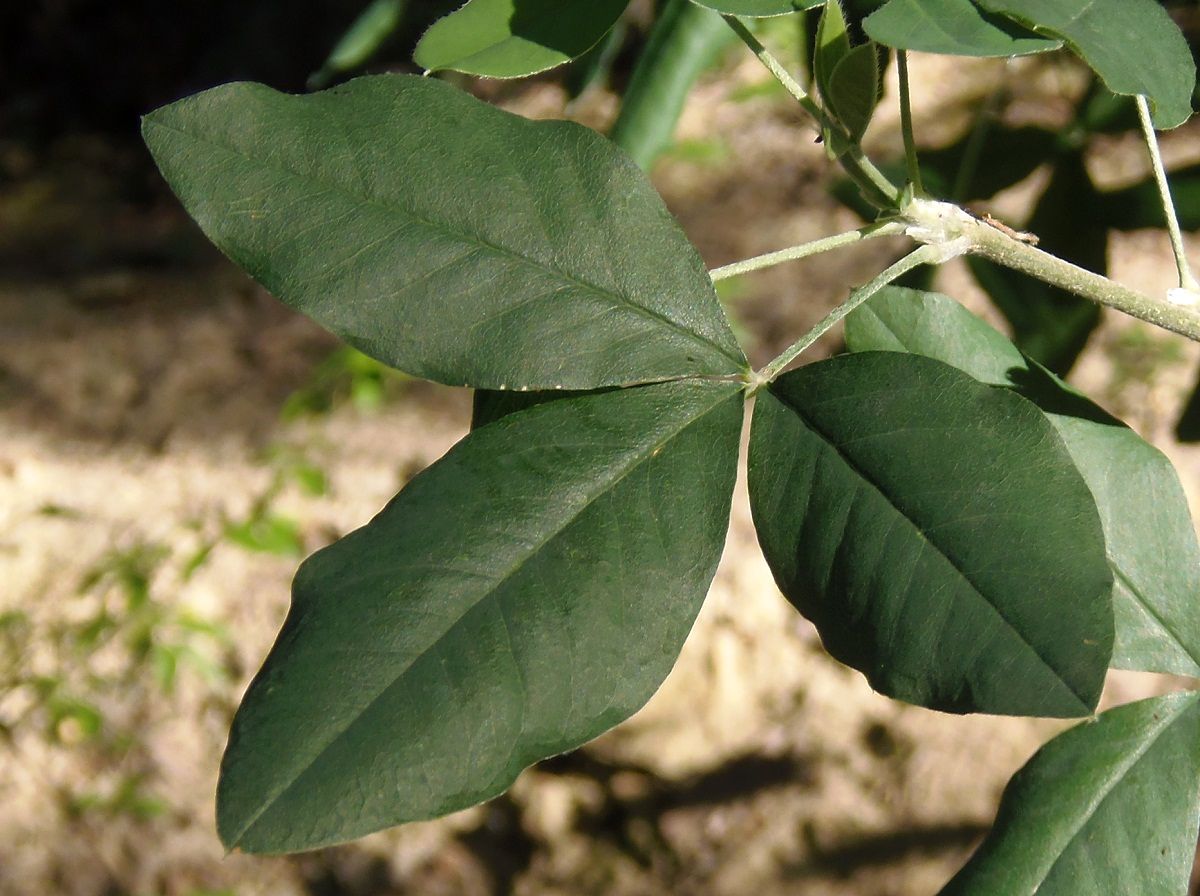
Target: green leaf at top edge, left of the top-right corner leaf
{"points": [[956, 28]]}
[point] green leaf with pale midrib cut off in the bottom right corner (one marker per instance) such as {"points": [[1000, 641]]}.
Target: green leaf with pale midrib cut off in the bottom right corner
{"points": [[1108, 808]]}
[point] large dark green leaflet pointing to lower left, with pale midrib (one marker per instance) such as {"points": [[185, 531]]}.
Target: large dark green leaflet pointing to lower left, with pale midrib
{"points": [[525, 594]]}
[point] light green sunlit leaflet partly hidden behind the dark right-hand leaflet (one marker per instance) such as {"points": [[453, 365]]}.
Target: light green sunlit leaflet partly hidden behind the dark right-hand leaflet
{"points": [[1150, 539]]}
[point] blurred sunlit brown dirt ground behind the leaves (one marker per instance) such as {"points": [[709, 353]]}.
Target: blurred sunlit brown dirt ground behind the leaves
{"points": [[141, 389]]}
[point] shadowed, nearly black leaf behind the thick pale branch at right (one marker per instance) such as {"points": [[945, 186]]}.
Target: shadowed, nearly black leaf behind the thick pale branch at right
{"points": [[1051, 324]]}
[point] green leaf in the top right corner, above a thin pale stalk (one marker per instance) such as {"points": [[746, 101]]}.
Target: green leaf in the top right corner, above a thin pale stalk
{"points": [[1133, 46]]}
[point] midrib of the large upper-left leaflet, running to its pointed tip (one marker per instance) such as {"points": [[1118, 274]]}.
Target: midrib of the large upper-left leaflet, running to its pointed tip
{"points": [[460, 236]]}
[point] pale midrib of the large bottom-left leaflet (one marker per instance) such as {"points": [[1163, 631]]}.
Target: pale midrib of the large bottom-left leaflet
{"points": [[637, 460]]}
